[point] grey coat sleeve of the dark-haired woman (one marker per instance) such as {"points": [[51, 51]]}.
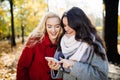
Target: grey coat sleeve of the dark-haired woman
{"points": [[95, 69]]}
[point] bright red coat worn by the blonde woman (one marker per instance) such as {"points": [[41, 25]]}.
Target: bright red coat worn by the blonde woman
{"points": [[32, 64]]}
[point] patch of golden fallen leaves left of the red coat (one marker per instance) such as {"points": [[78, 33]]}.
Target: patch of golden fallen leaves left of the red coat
{"points": [[8, 60]]}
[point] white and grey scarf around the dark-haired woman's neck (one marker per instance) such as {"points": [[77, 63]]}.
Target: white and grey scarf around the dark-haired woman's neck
{"points": [[72, 48]]}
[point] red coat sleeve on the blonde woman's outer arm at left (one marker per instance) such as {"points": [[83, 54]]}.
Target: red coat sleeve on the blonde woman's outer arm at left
{"points": [[24, 64]]}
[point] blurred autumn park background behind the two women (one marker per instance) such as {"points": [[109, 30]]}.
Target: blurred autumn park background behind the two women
{"points": [[19, 17]]}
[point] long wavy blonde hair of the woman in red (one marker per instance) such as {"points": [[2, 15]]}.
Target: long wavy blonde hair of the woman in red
{"points": [[39, 32]]}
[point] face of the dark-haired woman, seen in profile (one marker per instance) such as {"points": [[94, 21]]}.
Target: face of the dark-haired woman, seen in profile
{"points": [[67, 28]]}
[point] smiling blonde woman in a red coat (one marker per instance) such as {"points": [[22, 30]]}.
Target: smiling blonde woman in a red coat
{"points": [[41, 43]]}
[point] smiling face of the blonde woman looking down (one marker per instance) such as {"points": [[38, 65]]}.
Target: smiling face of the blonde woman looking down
{"points": [[53, 28]]}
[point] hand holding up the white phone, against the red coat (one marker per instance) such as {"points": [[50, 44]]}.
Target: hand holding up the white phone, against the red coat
{"points": [[52, 63]]}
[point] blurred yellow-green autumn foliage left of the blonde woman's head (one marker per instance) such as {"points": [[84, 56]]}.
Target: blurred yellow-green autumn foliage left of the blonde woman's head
{"points": [[27, 13]]}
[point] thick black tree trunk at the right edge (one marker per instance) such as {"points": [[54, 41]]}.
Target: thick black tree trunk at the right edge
{"points": [[110, 30]]}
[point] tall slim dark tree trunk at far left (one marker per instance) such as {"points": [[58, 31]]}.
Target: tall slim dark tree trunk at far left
{"points": [[13, 43]]}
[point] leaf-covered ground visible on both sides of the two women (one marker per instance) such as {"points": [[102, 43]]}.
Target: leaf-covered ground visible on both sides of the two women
{"points": [[9, 58]]}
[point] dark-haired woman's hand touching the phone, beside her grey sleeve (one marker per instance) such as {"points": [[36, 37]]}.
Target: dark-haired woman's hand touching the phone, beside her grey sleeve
{"points": [[66, 63]]}
